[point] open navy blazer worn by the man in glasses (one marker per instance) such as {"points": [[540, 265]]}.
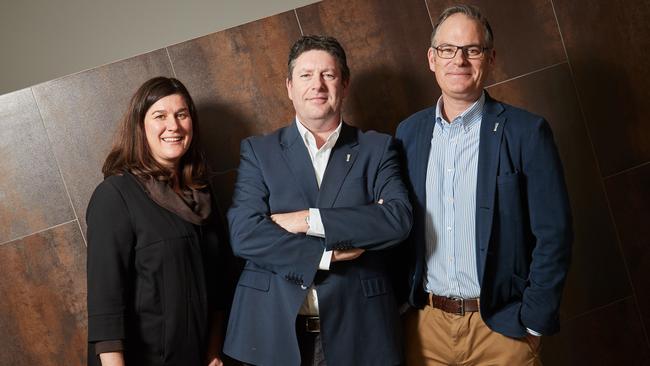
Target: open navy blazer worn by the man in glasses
{"points": [[523, 221]]}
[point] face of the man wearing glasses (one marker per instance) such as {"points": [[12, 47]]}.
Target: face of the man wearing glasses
{"points": [[460, 78]]}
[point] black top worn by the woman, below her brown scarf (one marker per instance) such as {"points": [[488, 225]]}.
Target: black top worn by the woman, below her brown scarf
{"points": [[152, 278]]}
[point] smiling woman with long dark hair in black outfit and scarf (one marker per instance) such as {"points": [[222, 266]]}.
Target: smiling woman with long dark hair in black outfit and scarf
{"points": [[154, 266]]}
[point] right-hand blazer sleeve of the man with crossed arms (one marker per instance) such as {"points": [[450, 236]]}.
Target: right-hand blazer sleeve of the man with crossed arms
{"points": [[376, 225]]}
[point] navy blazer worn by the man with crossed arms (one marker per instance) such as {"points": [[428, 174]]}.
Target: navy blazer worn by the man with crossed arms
{"points": [[358, 311]]}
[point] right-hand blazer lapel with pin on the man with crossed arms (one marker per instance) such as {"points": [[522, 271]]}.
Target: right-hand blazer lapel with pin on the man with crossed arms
{"points": [[339, 164]]}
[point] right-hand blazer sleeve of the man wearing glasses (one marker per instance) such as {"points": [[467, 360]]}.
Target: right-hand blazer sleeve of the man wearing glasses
{"points": [[550, 223]]}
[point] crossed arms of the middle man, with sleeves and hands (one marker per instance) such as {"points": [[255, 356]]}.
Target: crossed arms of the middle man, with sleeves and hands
{"points": [[278, 241]]}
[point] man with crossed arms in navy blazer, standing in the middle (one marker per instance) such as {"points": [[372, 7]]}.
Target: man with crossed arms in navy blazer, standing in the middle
{"points": [[316, 205]]}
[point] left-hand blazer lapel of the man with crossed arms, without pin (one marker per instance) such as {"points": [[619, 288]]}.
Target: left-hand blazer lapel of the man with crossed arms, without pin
{"points": [[297, 158]]}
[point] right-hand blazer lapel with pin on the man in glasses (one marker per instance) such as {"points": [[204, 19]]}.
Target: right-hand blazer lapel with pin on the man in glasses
{"points": [[492, 126]]}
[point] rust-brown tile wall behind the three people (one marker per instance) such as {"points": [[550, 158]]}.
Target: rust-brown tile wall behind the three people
{"points": [[561, 59]]}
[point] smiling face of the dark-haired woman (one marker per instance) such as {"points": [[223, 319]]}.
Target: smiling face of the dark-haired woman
{"points": [[168, 128]]}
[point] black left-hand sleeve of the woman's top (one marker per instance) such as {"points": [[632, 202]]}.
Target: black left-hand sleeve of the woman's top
{"points": [[109, 254]]}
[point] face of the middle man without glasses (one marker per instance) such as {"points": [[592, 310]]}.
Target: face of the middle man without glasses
{"points": [[317, 88]]}
